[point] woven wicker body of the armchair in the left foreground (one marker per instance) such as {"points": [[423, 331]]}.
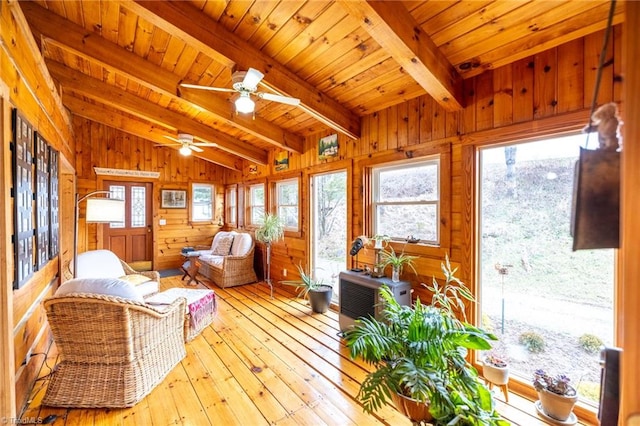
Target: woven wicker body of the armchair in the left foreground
{"points": [[113, 351]]}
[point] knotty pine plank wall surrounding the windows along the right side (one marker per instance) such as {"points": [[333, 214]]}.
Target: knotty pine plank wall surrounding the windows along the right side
{"points": [[538, 96]]}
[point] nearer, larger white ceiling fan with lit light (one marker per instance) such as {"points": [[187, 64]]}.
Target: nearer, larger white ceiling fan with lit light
{"points": [[246, 84]]}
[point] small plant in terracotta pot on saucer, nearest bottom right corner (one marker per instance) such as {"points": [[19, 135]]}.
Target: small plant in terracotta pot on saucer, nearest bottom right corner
{"points": [[556, 396]]}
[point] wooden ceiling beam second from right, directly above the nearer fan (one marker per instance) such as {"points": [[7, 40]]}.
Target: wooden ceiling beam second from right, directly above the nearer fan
{"points": [[188, 23]]}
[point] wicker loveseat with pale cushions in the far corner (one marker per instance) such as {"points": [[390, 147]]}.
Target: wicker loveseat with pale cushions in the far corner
{"points": [[232, 269]]}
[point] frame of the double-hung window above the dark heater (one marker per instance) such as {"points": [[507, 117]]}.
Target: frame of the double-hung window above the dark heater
{"points": [[375, 171]]}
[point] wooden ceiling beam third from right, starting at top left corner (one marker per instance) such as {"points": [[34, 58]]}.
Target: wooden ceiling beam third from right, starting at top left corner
{"points": [[114, 58]]}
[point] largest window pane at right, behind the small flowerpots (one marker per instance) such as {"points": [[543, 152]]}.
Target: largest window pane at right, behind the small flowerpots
{"points": [[550, 307]]}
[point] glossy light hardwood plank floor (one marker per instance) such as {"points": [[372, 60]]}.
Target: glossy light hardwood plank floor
{"points": [[262, 361]]}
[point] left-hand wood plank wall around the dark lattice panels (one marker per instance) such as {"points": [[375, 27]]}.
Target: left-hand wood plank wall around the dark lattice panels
{"points": [[26, 85]]}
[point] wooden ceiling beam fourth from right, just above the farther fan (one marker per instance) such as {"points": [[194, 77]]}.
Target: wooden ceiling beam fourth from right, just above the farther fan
{"points": [[122, 100]]}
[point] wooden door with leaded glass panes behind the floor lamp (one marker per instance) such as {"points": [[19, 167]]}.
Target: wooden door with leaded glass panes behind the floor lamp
{"points": [[132, 240]]}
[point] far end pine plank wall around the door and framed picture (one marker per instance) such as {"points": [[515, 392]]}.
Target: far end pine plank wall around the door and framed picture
{"points": [[102, 146]]}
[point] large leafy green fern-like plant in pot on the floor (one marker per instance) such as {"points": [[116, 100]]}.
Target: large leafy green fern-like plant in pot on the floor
{"points": [[418, 354]]}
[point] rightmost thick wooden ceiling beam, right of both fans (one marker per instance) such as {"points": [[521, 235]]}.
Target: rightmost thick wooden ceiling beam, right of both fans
{"points": [[393, 27]]}
